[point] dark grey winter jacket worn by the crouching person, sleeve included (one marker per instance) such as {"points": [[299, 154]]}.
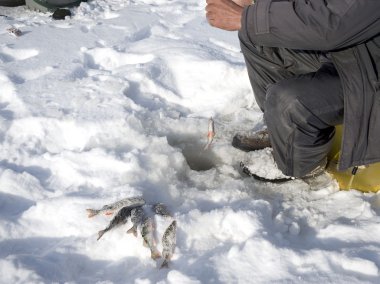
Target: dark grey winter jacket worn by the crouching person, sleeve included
{"points": [[350, 31]]}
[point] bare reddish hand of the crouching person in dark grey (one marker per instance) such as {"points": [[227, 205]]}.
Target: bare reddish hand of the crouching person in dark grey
{"points": [[224, 14]]}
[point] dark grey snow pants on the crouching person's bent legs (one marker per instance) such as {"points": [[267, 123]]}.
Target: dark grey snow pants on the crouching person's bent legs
{"points": [[301, 96]]}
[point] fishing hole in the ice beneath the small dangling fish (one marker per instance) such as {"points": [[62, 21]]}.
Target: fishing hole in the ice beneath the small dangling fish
{"points": [[196, 157]]}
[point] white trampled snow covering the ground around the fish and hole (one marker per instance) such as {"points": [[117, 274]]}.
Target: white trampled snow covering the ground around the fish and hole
{"points": [[114, 102]]}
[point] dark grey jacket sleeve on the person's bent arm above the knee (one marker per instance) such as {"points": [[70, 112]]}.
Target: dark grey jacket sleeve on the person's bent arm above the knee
{"points": [[311, 24]]}
